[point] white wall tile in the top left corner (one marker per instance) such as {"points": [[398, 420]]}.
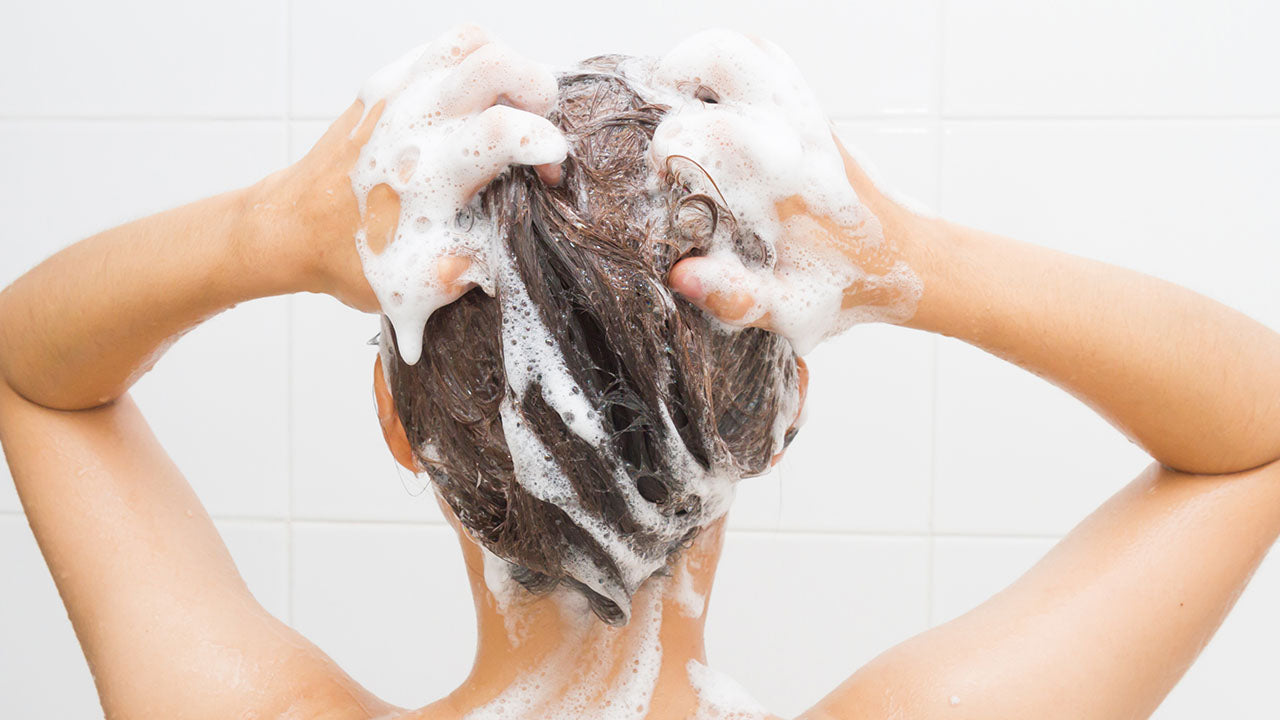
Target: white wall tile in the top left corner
{"points": [[143, 58]]}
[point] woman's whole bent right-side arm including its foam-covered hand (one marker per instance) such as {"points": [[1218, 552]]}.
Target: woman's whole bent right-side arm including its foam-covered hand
{"points": [[1108, 623]]}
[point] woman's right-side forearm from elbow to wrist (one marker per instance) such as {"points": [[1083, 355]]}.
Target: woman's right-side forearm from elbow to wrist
{"points": [[1194, 382]]}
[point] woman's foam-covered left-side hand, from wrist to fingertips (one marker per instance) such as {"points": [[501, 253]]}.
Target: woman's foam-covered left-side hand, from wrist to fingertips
{"points": [[309, 215]]}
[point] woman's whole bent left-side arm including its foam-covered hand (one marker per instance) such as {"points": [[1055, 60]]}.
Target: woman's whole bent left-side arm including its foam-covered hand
{"points": [[166, 622]]}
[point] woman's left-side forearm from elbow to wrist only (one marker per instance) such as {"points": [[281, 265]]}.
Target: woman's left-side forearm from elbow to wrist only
{"points": [[79, 330]]}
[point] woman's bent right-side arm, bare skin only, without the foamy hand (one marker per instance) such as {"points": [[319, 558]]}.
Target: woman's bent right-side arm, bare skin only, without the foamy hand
{"points": [[1108, 623]]}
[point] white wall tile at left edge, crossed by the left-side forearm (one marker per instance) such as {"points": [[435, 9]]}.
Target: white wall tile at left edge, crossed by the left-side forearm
{"points": [[66, 180]]}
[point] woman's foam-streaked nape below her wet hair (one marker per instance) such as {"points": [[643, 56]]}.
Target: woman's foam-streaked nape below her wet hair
{"points": [[548, 657]]}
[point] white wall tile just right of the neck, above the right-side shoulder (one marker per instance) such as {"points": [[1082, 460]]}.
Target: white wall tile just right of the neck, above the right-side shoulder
{"points": [[792, 616]]}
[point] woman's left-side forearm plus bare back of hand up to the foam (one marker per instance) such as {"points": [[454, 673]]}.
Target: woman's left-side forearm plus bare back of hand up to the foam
{"points": [[80, 329]]}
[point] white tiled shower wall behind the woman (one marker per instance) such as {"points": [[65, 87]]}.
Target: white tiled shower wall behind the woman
{"points": [[1142, 133]]}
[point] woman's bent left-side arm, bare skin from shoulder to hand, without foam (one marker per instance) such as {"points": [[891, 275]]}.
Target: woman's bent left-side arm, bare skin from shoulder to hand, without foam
{"points": [[166, 622]]}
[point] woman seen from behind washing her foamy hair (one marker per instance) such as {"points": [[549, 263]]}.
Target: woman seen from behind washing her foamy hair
{"points": [[1101, 628]]}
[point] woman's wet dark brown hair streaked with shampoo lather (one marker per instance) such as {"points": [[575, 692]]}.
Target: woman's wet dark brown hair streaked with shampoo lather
{"points": [[593, 257]]}
